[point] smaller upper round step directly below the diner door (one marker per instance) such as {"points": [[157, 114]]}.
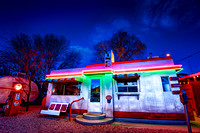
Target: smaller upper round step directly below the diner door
{"points": [[94, 116]]}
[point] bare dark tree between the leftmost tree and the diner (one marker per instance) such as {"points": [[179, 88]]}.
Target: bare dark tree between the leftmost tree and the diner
{"points": [[58, 55]]}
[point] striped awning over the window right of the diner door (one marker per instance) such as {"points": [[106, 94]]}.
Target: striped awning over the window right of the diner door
{"points": [[125, 76]]}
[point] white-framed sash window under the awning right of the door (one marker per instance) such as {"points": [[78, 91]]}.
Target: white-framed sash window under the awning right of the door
{"points": [[127, 85]]}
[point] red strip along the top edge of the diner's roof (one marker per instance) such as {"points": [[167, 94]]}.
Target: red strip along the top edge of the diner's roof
{"points": [[133, 61]]}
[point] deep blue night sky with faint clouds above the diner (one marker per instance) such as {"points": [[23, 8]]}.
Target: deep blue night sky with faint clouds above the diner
{"points": [[171, 26]]}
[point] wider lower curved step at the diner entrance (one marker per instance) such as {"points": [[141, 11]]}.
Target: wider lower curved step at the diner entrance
{"points": [[83, 121]]}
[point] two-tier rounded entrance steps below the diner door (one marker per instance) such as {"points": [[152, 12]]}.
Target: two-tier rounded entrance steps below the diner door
{"points": [[93, 119]]}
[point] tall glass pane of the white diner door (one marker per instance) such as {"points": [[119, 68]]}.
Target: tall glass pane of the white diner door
{"points": [[95, 90]]}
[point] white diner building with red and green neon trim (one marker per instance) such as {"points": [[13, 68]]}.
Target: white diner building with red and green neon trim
{"points": [[146, 88]]}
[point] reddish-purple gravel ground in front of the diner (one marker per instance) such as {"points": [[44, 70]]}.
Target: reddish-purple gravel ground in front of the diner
{"points": [[31, 122]]}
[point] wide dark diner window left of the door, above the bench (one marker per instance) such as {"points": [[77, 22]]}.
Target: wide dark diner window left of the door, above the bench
{"points": [[69, 88]]}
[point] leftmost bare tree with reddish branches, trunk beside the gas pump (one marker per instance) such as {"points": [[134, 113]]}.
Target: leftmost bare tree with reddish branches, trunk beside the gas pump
{"points": [[22, 54]]}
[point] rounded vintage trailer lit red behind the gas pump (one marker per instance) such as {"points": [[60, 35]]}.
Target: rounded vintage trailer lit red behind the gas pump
{"points": [[6, 86]]}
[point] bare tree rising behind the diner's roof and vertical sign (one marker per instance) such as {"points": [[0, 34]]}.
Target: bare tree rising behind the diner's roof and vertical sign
{"points": [[125, 47]]}
